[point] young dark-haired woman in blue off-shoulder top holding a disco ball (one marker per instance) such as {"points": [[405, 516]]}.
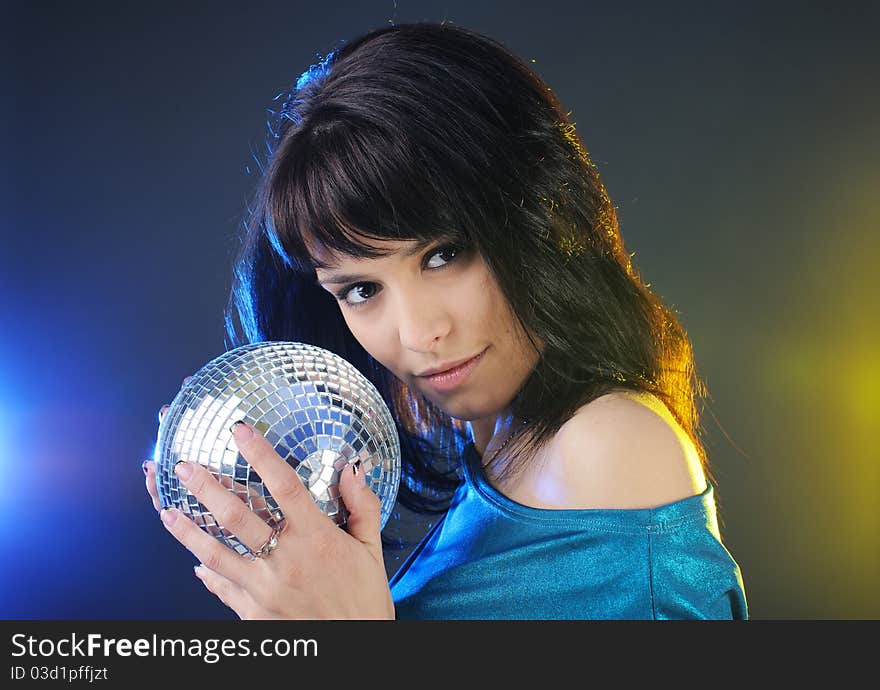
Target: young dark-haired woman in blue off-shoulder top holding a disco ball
{"points": [[429, 213]]}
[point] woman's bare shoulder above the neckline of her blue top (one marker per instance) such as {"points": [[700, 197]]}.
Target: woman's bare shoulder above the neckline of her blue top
{"points": [[622, 450]]}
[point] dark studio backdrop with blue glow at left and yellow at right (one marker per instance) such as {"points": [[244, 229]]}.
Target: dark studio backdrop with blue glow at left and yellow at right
{"points": [[739, 143]]}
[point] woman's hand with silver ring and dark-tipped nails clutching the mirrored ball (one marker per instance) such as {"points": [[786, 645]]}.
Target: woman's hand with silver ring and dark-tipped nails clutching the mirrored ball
{"points": [[317, 570]]}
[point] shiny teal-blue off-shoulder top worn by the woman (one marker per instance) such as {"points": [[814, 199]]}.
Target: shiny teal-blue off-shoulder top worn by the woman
{"points": [[492, 558]]}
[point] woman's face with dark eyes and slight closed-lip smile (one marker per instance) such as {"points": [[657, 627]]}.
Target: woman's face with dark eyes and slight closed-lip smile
{"points": [[427, 307]]}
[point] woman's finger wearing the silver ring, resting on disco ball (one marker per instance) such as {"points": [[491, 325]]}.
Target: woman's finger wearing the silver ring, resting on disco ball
{"points": [[227, 508]]}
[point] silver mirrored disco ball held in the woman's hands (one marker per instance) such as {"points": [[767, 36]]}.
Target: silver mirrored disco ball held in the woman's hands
{"points": [[318, 411]]}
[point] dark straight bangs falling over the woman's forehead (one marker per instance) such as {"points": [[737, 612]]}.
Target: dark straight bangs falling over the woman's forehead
{"points": [[346, 183]]}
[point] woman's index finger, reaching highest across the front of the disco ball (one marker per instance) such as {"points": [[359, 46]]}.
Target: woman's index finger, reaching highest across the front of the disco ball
{"points": [[288, 490]]}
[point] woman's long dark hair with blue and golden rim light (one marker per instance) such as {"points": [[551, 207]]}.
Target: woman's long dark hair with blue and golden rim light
{"points": [[422, 130]]}
